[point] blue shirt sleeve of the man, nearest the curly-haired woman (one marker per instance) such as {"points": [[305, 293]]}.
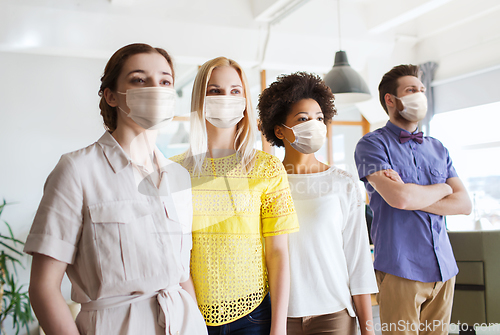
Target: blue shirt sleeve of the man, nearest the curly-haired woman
{"points": [[370, 156]]}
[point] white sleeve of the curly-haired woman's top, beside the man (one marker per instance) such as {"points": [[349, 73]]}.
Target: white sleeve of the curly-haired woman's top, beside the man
{"points": [[356, 245]]}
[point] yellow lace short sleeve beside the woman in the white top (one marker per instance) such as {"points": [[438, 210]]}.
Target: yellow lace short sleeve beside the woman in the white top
{"points": [[277, 210]]}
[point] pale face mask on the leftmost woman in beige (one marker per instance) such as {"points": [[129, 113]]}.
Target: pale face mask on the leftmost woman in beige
{"points": [[151, 107]]}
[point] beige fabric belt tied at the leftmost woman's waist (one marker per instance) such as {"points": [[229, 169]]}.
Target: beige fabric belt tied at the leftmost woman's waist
{"points": [[167, 318]]}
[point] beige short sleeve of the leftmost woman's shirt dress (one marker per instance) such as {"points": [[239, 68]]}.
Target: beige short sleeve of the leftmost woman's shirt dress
{"points": [[58, 222]]}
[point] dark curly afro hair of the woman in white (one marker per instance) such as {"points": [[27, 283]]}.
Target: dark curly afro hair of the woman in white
{"points": [[276, 101]]}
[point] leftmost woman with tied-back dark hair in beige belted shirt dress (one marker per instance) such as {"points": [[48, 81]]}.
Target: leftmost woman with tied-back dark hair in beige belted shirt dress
{"points": [[116, 216]]}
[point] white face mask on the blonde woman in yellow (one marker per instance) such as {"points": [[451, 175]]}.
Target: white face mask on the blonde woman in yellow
{"points": [[224, 111]]}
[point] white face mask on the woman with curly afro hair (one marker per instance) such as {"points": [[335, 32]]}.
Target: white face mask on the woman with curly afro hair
{"points": [[309, 136]]}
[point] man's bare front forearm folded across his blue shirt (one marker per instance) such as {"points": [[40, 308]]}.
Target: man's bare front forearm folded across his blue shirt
{"points": [[407, 196]]}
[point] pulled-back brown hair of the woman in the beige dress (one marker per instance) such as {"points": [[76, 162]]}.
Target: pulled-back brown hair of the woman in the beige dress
{"points": [[112, 72]]}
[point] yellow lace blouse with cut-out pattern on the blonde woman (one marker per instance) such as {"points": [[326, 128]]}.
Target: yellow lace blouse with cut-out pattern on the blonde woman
{"points": [[232, 212]]}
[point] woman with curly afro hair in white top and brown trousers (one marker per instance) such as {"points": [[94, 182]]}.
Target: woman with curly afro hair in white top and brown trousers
{"points": [[331, 268]]}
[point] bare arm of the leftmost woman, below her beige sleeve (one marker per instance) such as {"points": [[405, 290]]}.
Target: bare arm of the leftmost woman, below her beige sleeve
{"points": [[46, 298]]}
